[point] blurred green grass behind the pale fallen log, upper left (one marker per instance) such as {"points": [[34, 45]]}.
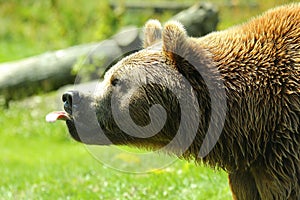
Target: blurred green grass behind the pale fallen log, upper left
{"points": [[30, 27]]}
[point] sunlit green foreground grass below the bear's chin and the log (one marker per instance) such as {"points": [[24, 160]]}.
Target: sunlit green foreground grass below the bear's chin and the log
{"points": [[40, 161]]}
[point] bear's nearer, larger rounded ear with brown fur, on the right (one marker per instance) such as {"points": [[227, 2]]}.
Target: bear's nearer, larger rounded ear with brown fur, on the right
{"points": [[174, 40]]}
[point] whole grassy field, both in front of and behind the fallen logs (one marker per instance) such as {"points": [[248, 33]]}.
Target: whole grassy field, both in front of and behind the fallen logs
{"points": [[39, 160]]}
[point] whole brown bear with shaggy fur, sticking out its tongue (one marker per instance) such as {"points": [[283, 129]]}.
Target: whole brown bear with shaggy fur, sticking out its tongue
{"points": [[230, 99]]}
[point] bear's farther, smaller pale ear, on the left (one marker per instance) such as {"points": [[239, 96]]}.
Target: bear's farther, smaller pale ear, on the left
{"points": [[152, 32]]}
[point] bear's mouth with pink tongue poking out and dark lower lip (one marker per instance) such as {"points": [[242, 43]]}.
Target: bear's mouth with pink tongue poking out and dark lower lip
{"points": [[64, 116]]}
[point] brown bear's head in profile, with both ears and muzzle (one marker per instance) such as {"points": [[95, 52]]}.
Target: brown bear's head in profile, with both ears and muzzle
{"points": [[158, 97]]}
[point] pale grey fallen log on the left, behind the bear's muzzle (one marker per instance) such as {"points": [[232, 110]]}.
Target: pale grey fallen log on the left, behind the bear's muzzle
{"points": [[49, 71]]}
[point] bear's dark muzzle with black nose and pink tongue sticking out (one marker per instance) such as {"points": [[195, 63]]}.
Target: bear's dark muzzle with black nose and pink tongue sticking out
{"points": [[80, 117]]}
